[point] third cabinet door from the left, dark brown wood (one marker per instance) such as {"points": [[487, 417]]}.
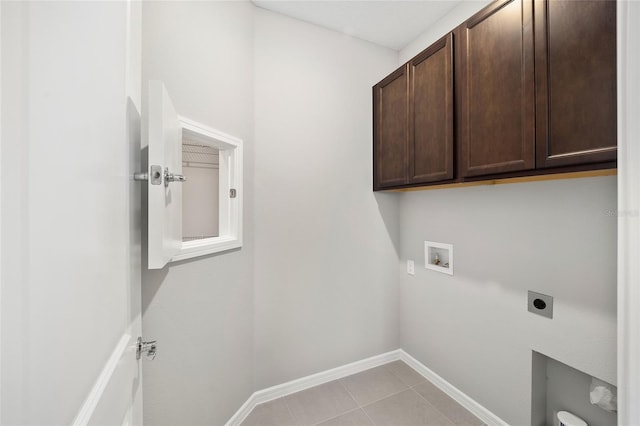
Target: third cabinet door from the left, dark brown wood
{"points": [[496, 83]]}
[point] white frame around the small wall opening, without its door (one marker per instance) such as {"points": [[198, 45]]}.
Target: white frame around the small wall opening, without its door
{"points": [[230, 209]]}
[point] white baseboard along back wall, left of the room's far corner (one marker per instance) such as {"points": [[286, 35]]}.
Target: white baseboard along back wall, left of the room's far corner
{"points": [[307, 382]]}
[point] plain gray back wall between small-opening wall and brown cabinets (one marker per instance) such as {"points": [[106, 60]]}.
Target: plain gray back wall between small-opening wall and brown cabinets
{"points": [[326, 265]]}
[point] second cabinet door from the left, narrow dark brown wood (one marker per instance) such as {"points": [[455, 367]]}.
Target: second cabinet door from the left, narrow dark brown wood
{"points": [[431, 113]]}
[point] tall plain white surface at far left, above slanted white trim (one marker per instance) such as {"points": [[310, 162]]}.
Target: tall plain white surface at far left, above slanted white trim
{"points": [[67, 263]]}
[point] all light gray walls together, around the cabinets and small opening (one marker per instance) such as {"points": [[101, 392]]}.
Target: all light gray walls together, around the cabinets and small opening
{"points": [[316, 284]]}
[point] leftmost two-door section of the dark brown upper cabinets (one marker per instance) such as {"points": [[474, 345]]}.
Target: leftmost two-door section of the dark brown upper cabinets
{"points": [[413, 120]]}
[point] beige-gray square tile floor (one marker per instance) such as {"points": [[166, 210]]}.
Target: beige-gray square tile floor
{"points": [[392, 395]]}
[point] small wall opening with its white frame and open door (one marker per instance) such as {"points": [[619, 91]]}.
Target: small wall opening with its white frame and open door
{"points": [[199, 215]]}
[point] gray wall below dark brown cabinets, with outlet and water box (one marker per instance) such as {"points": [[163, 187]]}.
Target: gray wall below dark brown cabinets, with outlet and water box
{"points": [[473, 329]]}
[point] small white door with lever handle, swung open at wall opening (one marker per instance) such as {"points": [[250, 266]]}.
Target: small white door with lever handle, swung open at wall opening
{"points": [[163, 135]]}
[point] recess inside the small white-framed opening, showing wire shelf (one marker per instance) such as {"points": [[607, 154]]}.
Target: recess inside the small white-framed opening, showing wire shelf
{"points": [[200, 192]]}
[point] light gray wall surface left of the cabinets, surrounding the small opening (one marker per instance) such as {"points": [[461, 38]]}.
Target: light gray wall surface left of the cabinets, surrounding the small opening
{"points": [[325, 274]]}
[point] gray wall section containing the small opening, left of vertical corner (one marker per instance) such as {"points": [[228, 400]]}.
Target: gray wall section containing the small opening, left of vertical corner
{"points": [[201, 310]]}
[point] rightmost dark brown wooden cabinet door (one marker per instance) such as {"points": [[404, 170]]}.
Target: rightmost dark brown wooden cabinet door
{"points": [[576, 82]]}
